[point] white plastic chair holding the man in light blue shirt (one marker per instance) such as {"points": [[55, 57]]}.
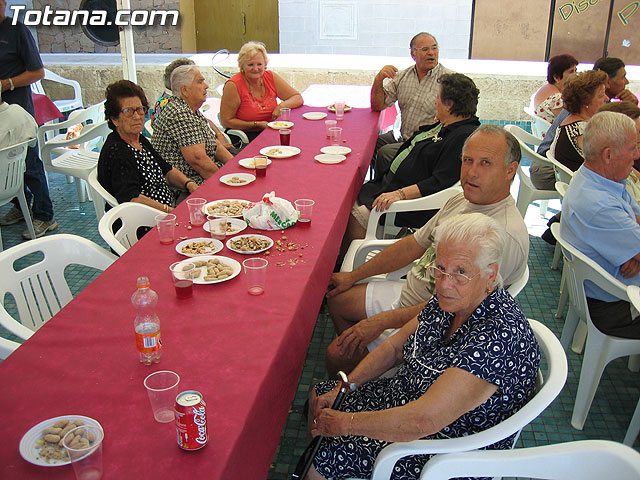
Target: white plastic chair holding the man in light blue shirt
{"points": [[600, 348]]}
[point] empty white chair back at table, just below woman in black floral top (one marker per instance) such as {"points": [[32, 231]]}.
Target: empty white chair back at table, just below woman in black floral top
{"points": [[132, 215]]}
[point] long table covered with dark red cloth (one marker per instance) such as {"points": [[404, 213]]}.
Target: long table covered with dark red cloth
{"points": [[244, 353]]}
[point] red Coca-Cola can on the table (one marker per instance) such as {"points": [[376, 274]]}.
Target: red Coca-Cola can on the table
{"points": [[191, 420]]}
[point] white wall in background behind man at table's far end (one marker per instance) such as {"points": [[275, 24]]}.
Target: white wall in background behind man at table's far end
{"points": [[373, 27]]}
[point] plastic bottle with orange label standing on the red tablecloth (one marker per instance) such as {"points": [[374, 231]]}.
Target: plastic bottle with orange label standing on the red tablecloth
{"points": [[147, 323]]}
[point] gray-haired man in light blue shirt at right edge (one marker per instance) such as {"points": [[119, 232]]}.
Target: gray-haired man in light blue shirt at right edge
{"points": [[600, 218]]}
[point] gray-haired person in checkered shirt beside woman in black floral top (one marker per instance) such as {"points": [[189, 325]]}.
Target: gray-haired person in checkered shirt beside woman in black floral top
{"points": [[181, 134]]}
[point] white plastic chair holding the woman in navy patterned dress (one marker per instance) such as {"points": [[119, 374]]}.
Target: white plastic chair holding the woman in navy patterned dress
{"points": [[548, 390]]}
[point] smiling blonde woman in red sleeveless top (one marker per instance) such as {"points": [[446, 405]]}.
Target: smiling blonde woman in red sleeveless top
{"points": [[250, 97]]}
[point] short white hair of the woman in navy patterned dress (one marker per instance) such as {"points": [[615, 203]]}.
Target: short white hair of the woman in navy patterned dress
{"points": [[485, 234]]}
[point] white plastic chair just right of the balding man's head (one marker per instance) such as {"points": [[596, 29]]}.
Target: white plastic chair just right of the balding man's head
{"points": [[527, 192]]}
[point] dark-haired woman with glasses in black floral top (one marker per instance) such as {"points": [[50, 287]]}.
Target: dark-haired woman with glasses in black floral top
{"points": [[129, 168]]}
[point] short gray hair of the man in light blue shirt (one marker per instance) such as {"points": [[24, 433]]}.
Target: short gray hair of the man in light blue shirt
{"points": [[606, 129]]}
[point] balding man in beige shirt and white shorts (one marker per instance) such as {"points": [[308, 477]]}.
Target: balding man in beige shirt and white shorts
{"points": [[366, 312]]}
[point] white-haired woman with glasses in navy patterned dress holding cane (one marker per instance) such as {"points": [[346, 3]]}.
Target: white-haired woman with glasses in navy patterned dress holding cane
{"points": [[467, 361]]}
